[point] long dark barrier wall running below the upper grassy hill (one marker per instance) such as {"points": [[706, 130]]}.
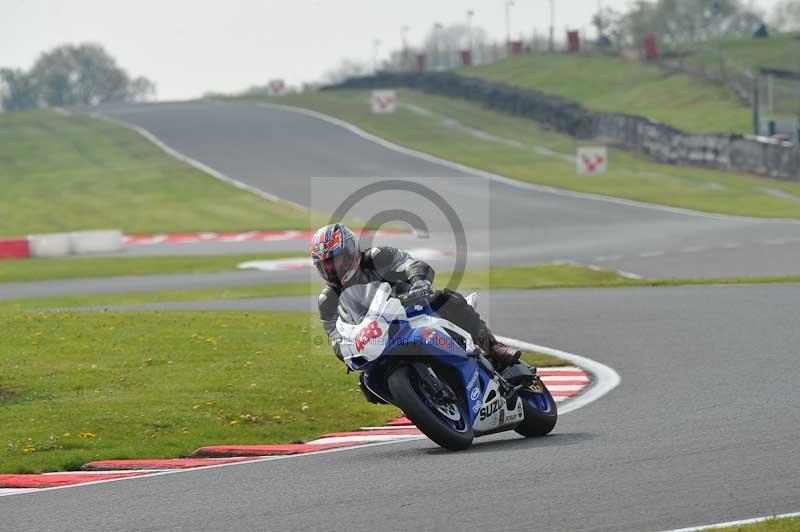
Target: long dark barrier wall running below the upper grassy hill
{"points": [[659, 141]]}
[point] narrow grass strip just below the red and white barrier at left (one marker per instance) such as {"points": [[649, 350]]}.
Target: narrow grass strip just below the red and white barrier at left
{"points": [[41, 269]]}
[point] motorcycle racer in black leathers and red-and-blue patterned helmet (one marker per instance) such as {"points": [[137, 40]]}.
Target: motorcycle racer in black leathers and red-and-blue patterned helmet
{"points": [[344, 267]]}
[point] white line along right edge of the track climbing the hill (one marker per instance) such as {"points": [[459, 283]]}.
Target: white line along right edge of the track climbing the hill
{"points": [[510, 181]]}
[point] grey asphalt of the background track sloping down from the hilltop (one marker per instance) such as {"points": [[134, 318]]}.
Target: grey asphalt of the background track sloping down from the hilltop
{"points": [[317, 164]]}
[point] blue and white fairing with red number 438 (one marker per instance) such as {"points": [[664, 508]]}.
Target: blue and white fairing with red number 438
{"points": [[368, 343]]}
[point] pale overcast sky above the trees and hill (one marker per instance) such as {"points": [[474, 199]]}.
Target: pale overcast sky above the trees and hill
{"points": [[191, 46]]}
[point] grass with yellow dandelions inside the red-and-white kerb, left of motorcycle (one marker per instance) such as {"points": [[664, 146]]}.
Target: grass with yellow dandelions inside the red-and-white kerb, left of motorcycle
{"points": [[87, 386]]}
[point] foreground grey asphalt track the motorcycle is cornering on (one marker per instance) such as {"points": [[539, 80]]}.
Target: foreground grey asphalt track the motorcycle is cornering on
{"points": [[702, 429]]}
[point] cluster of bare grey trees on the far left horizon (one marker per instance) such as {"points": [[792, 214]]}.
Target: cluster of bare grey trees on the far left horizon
{"points": [[83, 74]]}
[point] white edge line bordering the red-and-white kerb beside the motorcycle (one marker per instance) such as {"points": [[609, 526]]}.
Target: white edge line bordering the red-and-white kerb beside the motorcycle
{"points": [[606, 380]]}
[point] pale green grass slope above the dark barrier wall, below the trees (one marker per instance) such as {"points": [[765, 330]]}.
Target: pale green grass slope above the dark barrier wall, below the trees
{"points": [[603, 83]]}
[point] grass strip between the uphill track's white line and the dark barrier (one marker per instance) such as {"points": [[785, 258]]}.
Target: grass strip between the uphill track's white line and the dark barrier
{"points": [[631, 176]]}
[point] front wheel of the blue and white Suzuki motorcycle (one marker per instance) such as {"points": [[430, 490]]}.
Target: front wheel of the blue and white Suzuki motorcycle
{"points": [[445, 423]]}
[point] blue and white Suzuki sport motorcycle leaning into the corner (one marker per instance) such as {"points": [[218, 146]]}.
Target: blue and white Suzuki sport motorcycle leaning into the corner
{"points": [[431, 369]]}
